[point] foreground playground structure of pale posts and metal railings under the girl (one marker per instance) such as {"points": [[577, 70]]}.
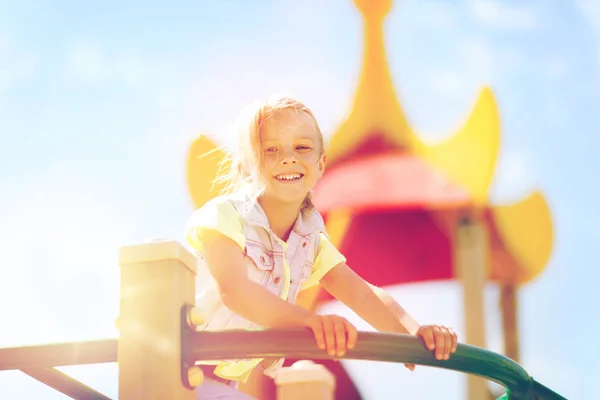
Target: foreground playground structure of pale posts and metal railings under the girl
{"points": [[158, 344]]}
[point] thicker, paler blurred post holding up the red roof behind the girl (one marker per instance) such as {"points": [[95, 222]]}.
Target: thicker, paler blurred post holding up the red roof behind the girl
{"points": [[471, 252]]}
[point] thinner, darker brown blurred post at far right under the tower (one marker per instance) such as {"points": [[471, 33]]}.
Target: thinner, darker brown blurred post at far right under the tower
{"points": [[508, 305]]}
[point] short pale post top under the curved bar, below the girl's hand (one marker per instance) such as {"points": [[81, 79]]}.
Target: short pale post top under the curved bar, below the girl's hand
{"points": [[305, 380]]}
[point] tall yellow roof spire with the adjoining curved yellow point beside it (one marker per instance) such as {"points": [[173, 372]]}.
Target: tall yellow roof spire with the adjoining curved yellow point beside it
{"points": [[376, 109]]}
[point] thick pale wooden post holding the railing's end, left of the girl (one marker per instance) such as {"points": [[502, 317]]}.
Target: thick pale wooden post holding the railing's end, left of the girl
{"points": [[157, 279]]}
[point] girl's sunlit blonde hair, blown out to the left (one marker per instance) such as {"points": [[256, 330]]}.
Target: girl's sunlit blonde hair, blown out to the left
{"points": [[246, 158]]}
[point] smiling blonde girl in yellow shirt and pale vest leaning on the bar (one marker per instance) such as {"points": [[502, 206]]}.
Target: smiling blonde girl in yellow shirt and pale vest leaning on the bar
{"points": [[264, 242]]}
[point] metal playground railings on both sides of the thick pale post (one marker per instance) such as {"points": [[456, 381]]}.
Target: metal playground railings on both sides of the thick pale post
{"points": [[37, 361]]}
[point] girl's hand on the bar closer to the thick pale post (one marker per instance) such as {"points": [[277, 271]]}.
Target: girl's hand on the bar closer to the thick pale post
{"points": [[333, 333]]}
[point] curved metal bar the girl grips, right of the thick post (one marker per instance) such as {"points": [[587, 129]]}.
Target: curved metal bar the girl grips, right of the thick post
{"points": [[399, 348]]}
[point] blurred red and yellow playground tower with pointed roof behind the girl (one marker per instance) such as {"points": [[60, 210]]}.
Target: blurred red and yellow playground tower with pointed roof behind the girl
{"points": [[423, 208]]}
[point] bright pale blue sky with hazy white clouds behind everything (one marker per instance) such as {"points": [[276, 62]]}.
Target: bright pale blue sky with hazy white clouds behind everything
{"points": [[99, 103]]}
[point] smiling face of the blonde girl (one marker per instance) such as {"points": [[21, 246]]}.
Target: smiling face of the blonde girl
{"points": [[292, 155]]}
